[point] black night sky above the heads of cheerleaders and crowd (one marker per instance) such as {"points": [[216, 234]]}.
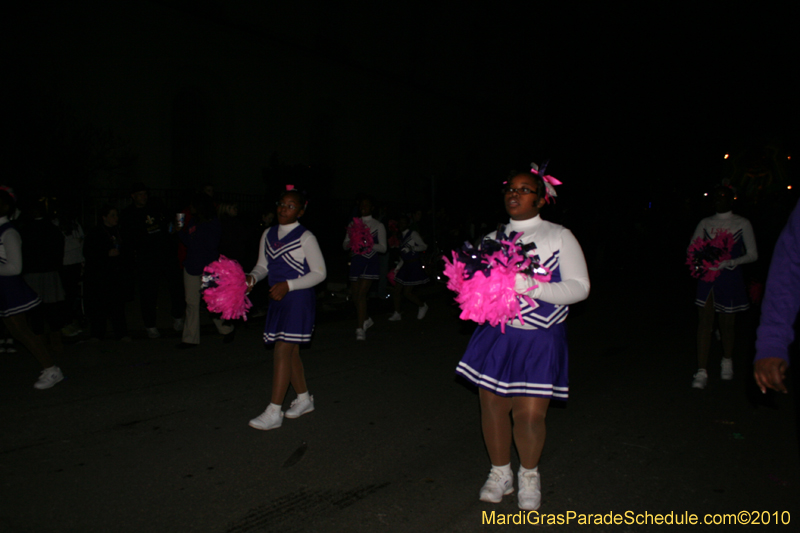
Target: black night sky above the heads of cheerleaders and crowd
{"points": [[634, 106]]}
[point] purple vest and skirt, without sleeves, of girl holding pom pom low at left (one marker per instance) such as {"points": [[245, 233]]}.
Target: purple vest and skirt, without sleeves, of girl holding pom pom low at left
{"points": [[290, 319]]}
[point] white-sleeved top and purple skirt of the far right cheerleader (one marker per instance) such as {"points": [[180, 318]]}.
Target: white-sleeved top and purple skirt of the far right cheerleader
{"points": [[730, 294]]}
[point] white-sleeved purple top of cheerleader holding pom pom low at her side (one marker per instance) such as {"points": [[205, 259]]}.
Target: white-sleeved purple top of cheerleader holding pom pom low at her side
{"points": [[290, 253]]}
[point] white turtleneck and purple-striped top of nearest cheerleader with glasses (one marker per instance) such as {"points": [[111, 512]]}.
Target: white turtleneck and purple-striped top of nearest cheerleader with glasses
{"points": [[560, 253]]}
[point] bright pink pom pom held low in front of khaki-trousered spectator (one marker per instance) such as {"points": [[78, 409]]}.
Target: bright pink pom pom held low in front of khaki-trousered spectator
{"points": [[225, 289]]}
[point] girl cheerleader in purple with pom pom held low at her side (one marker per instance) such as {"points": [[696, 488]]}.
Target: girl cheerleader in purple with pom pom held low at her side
{"points": [[289, 253]]}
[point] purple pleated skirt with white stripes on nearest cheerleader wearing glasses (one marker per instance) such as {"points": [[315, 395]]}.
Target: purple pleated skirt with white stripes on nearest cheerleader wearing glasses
{"points": [[519, 362]]}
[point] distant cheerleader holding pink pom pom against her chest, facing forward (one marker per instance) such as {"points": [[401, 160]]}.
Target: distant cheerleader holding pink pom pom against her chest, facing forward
{"points": [[365, 266]]}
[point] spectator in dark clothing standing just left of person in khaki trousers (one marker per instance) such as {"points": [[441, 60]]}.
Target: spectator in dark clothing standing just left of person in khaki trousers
{"points": [[145, 230]]}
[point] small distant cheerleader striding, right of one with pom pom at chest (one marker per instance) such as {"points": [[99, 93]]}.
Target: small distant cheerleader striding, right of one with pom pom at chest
{"points": [[409, 273]]}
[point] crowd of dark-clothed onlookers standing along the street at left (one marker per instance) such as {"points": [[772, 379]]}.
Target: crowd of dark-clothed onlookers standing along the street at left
{"points": [[85, 276]]}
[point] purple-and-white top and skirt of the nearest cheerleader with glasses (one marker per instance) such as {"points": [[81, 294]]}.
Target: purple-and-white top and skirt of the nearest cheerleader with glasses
{"points": [[531, 357]]}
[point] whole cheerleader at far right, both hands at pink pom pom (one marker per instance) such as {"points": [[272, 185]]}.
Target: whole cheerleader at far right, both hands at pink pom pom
{"points": [[726, 295]]}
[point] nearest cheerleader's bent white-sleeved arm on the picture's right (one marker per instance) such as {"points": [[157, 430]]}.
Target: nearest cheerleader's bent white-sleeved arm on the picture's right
{"points": [[574, 284]]}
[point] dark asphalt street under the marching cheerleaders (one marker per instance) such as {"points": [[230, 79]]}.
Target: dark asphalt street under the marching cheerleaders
{"points": [[142, 437]]}
